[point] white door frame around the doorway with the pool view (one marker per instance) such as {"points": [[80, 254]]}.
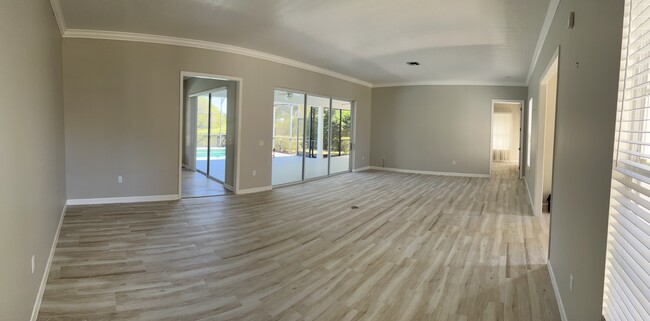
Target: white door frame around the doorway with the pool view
{"points": [[240, 89]]}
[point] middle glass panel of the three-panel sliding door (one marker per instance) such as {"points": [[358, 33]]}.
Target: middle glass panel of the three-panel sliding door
{"points": [[317, 136]]}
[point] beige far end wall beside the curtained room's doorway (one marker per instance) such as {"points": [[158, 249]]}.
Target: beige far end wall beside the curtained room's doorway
{"points": [[426, 128]]}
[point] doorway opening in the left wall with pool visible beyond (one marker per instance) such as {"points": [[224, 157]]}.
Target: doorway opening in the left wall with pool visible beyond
{"points": [[208, 136]]}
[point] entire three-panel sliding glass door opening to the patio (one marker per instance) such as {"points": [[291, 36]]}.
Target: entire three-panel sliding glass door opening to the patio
{"points": [[311, 136]]}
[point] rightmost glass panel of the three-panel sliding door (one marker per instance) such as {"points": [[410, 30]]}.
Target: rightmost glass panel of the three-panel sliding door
{"points": [[341, 122]]}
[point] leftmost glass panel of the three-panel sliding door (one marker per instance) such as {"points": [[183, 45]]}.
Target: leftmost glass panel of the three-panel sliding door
{"points": [[288, 137]]}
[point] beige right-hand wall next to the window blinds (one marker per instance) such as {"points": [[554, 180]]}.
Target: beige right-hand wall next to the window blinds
{"points": [[584, 138]]}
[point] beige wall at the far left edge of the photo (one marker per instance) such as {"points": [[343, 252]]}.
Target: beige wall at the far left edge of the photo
{"points": [[32, 193]]}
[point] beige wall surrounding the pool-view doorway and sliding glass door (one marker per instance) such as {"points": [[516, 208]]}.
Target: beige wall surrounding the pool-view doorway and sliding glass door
{"points": [[122, 113]]}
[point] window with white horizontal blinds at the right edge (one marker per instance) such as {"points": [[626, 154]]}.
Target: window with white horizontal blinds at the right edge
{"points": [[627, 275]]}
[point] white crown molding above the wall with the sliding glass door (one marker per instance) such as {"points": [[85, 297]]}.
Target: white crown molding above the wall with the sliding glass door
{"points": [[193, 43]]}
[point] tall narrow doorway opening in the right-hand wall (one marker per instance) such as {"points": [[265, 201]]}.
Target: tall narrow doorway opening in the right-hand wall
{"points": [[546, 139]]}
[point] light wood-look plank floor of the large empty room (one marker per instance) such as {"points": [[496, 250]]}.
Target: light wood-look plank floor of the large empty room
{"points": [[416, 248]]}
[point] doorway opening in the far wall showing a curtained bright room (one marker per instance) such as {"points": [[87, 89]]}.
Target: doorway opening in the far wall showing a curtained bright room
{"points": [[506, 140]]}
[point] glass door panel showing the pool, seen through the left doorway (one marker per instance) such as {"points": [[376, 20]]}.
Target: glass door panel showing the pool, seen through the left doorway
{"points": [[218, 120]]}
